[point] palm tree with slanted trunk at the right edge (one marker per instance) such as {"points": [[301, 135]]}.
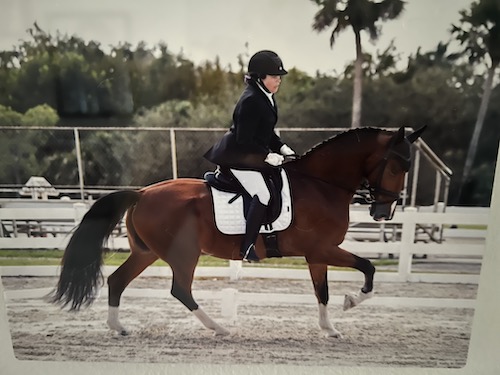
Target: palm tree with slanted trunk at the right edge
{"points": [[479, 34]]}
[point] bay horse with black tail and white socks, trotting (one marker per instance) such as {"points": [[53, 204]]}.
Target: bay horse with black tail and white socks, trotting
{"points": [[173, 220]]}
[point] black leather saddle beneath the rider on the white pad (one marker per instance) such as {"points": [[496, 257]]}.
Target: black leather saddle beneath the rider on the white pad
{"points": [[222, 179]]}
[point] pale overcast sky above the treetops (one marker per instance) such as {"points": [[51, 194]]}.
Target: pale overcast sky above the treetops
{"points": [[205, 29]]}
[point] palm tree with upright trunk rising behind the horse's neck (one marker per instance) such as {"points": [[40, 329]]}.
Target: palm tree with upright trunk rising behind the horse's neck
{"points": [[360, 15]]}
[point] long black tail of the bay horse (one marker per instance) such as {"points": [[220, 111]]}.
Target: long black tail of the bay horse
{"points": [[81, 264]]}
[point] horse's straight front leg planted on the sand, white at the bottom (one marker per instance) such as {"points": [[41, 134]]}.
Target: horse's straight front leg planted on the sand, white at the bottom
{"points": [[319, 278]]}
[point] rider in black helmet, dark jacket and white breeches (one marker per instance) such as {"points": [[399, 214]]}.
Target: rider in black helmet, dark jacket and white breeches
{"points": [[251, 144]]}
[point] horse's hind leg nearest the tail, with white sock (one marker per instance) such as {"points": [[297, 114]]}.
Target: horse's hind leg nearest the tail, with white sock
{"points": [[137, 262]]}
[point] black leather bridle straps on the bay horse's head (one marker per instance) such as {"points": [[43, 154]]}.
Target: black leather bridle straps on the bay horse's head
{"points": [[377, 189]]}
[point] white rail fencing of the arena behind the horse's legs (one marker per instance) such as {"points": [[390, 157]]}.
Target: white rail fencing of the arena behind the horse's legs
{"points": [[458, 242]]}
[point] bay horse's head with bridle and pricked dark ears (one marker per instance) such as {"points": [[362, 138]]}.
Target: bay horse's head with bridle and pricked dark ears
{"points": [[386, 180]]}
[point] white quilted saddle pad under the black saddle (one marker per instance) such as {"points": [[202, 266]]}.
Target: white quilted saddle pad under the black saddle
{"points": [[229, 217]]}
